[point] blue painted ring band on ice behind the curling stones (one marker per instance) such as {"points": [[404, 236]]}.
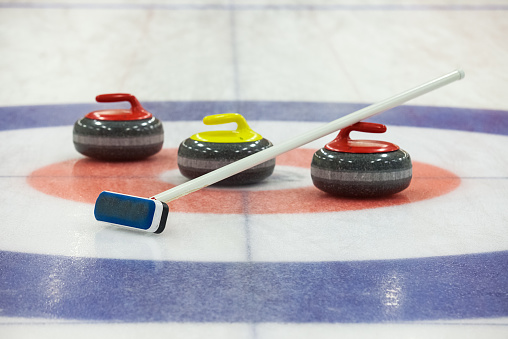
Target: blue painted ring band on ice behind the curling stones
{"points": [[464, 119]]}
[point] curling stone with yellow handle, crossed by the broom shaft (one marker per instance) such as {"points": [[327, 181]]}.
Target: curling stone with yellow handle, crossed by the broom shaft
{"points": [[206, 151]]}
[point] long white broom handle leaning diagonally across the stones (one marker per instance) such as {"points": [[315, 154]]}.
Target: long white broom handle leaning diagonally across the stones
{"points": [[269, 153]]}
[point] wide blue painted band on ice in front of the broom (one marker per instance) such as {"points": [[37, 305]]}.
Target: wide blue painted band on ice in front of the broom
{"points": [[91, 289]]}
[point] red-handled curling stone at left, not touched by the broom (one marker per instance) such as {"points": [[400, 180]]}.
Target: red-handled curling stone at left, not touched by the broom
{"points": [[118, 134]]}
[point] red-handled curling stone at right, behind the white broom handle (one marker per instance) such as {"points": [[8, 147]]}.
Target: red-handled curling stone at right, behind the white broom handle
{"points": [[361, 168]]}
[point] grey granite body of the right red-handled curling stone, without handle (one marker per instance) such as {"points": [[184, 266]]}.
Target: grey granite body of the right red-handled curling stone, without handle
{"points": [[361, 175]]}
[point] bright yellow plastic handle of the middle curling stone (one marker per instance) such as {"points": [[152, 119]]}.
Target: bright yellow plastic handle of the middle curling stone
{"points": [[243, 132]]}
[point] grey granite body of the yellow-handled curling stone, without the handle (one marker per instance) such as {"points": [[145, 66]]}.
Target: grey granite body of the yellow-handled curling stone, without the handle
{"points": [[196, 158]]}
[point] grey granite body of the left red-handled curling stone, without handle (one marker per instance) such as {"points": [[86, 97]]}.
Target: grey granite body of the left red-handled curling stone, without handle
{"points": [[118, 140]]}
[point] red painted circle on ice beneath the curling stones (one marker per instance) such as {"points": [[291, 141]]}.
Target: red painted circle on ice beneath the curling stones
{"points": [[83, 180]]}
